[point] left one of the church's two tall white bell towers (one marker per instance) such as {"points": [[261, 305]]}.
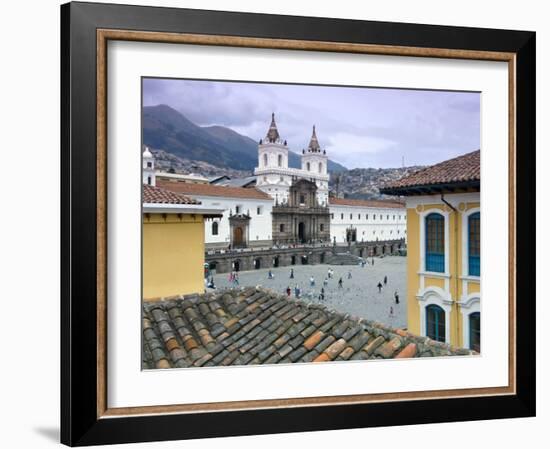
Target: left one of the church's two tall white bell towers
{"points": [[273, 175]]}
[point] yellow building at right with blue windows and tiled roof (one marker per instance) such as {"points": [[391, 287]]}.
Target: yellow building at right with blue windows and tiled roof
{"points": [[443, 250]]}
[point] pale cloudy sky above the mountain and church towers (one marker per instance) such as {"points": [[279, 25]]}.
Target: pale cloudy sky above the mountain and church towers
{"points": [[358, 126]]}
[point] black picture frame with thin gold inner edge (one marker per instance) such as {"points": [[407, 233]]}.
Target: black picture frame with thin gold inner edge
{"points": [[86, 28]]}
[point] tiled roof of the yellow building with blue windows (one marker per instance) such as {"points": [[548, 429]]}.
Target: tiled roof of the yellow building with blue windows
{"points": [[460, 170]]}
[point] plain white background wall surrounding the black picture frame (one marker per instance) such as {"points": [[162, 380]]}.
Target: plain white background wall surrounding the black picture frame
{"points": [[32, 408]]}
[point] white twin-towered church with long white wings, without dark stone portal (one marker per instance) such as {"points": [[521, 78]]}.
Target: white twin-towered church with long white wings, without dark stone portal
{"points": [[247, 218]]}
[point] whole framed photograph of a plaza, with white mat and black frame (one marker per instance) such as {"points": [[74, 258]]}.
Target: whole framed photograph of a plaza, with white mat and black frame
{"points": [[279, 224]]}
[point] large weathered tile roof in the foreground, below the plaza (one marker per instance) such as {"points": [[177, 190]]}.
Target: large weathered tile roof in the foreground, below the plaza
{"points": [[257, 326]]}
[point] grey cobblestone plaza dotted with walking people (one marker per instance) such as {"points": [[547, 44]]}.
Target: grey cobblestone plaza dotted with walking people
{"points": [[359, 295]]}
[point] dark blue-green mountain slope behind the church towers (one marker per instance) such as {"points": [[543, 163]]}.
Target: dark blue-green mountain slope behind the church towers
{"points": [[167, 129]]}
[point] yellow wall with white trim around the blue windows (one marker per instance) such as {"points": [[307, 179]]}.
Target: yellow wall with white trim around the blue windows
{"points": [[455, 268]]}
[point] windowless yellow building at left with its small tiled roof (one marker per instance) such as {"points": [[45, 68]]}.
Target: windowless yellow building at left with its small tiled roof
{"points": [[173, 243]]}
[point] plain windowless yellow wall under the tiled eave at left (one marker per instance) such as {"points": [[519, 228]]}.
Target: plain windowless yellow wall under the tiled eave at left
{"points": [[173, 255]]}
